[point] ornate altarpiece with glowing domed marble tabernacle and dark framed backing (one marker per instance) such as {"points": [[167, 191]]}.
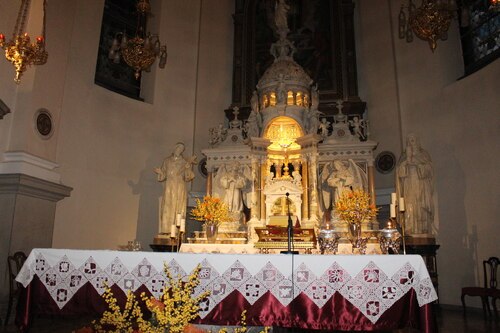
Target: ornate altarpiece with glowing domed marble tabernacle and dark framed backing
{"points": [[275, 143]]}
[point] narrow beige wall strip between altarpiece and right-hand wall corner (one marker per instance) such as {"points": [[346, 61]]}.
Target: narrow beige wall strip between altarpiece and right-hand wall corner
{"points": [[377, 80]]}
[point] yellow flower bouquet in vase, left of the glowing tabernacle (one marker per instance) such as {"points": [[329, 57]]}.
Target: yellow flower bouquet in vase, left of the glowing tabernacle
{"points": [[211, 210]]}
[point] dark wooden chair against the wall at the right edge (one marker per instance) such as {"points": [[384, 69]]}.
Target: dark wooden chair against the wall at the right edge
{"points": [[490, 268]]}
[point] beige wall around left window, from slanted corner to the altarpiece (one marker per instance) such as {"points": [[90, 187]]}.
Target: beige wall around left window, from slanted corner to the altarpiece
{"points": [[112, 143]]}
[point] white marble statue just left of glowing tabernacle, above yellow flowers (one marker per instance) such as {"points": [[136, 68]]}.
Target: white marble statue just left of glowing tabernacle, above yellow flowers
{"points": [[233, 181]]}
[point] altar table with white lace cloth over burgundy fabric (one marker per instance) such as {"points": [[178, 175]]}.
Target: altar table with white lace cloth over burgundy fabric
{"points": [[331, 292]]}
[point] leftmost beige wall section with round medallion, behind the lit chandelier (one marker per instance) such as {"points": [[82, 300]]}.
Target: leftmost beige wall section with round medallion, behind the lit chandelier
{"points": [[33, 92]]}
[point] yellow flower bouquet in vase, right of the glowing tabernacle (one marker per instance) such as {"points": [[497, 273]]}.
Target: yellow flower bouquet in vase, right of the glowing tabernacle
{"points": [[354, 206]]}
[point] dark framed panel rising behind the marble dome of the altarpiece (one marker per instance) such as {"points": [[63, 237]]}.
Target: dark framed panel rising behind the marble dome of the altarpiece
{"points": [[323, 33]]}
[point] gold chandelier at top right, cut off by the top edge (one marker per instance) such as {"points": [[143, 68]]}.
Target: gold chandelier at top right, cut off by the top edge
{"points": [[428, 22]]}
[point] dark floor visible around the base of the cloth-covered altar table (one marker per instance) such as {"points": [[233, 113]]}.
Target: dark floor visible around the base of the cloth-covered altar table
{"points": [[450, 320]]}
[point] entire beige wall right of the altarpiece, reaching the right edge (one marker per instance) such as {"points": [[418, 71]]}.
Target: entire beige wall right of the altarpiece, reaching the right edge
{"points": [[409, 89]]}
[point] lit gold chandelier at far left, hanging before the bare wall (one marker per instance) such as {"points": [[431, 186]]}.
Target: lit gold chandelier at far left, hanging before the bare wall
{"points": [[19, 50]]}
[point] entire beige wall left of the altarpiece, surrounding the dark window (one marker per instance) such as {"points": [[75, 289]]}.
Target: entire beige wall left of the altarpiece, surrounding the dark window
{"points": [[107, 145]]}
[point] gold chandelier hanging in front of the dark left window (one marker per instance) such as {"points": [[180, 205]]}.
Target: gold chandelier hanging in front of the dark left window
{"points": [[141, 51]]}
